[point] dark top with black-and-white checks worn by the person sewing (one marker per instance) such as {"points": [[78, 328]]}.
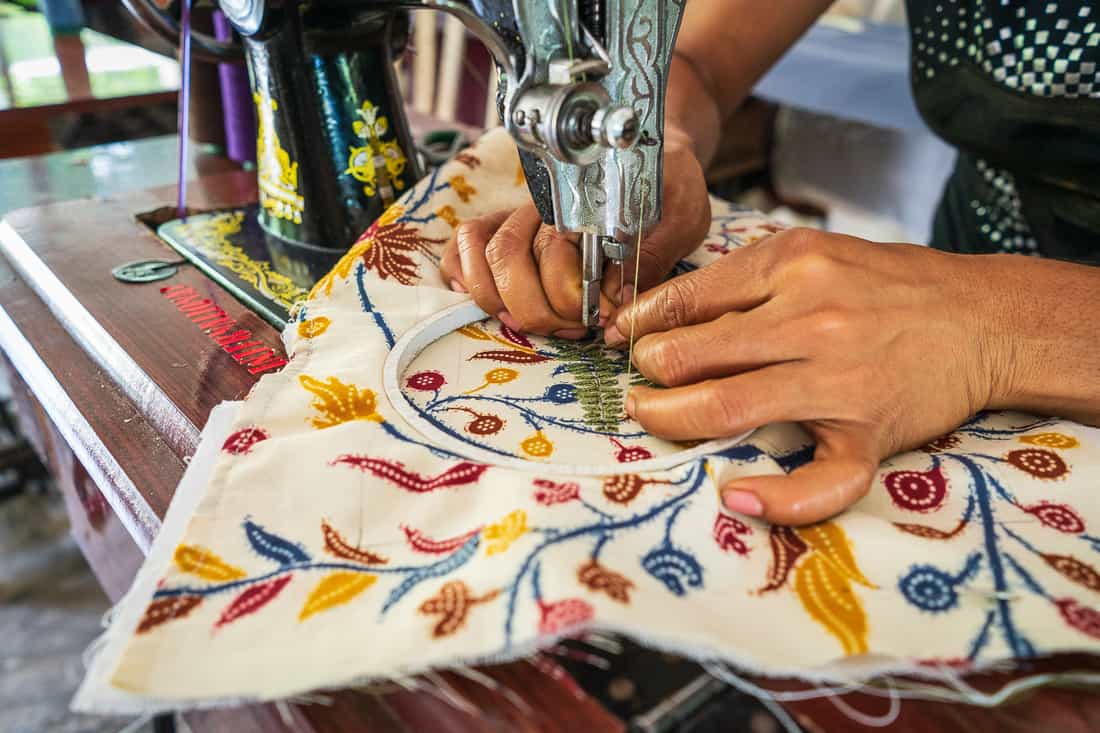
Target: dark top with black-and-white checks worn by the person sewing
{"points": [[1016, 86]]}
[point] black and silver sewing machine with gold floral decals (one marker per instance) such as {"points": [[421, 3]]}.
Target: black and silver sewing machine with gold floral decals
{"points": [[581, 91]]}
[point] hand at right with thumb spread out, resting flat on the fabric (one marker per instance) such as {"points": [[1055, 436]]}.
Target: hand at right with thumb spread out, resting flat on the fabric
{"points": [[873, 348]]}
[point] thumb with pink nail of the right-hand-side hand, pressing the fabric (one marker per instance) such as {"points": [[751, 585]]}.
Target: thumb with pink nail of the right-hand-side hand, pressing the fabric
{"points": [[840, 476]]}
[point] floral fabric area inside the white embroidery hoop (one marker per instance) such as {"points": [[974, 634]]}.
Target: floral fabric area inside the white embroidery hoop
{"points": [[516, 398]]}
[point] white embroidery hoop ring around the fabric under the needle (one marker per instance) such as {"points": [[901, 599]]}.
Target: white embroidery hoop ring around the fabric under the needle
{"points": [[413, 345]]}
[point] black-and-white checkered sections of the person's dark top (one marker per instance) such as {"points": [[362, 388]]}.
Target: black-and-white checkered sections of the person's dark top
{"points": [[1050, 50]]}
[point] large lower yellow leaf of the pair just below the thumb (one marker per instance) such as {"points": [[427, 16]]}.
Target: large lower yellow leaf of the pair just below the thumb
{"points": [[827, 596]]}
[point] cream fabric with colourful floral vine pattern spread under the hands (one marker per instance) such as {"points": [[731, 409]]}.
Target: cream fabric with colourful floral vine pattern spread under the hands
{"points": [[333, 543]]}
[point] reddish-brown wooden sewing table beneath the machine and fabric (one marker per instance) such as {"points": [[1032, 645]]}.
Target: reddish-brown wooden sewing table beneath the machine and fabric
{"points": [[115, 384]]}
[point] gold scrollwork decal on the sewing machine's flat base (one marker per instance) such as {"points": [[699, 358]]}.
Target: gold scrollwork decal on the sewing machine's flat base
{"points": [[213, 237]]}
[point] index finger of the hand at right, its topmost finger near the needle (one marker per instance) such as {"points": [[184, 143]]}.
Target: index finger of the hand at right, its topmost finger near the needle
{"points": [[738, 282]]}
